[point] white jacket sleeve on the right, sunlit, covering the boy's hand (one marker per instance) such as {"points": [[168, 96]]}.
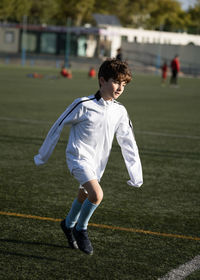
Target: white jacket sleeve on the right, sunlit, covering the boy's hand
{"points": [[126, 140]]}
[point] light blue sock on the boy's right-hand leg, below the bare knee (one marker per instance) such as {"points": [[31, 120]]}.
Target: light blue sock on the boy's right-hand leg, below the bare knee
{"points": [[87, 210]]}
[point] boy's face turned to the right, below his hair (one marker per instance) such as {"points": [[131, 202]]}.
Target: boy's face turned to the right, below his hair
{"points": [[111, 89]]}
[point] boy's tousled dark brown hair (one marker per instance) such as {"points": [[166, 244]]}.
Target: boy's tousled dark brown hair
{"points": [[116, 70]]}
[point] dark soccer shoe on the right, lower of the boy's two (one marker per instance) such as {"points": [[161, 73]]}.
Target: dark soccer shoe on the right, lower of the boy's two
{"points": [[83, 241]]}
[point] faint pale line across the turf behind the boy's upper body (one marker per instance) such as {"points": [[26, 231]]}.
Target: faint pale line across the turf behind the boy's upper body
{"points": [[137, 131]]}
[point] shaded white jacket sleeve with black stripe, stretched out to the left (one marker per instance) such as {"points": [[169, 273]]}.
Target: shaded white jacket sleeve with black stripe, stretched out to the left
{"points": [[69, 116]]}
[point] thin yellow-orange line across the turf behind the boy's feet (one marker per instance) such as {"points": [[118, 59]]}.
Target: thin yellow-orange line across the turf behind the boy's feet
{"points": [[104, 226]]}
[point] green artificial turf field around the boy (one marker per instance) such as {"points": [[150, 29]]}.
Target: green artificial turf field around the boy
{"points": [[166, 124]]}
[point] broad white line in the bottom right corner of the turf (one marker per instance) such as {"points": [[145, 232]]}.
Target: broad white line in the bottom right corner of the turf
{"points": [[184, 270]]}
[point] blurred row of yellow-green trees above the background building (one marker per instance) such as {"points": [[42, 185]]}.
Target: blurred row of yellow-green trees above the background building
{"points": [[150, 14]]}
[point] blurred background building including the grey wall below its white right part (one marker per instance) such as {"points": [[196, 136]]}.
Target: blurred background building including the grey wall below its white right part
{"points": [[139, 46]]}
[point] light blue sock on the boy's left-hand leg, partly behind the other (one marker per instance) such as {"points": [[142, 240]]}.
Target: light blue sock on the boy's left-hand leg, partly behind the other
{"points": [[73, 214]]}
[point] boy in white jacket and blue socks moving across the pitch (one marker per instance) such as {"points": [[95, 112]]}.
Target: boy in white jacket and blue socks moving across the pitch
{"points": [[94, 121]]}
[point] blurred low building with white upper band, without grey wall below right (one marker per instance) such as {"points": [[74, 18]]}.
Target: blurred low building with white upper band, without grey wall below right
{"points": [[102, 40]]}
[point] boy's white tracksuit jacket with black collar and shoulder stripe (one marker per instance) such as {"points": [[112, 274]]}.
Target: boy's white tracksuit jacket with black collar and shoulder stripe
{"points": [[94, 122]]}
